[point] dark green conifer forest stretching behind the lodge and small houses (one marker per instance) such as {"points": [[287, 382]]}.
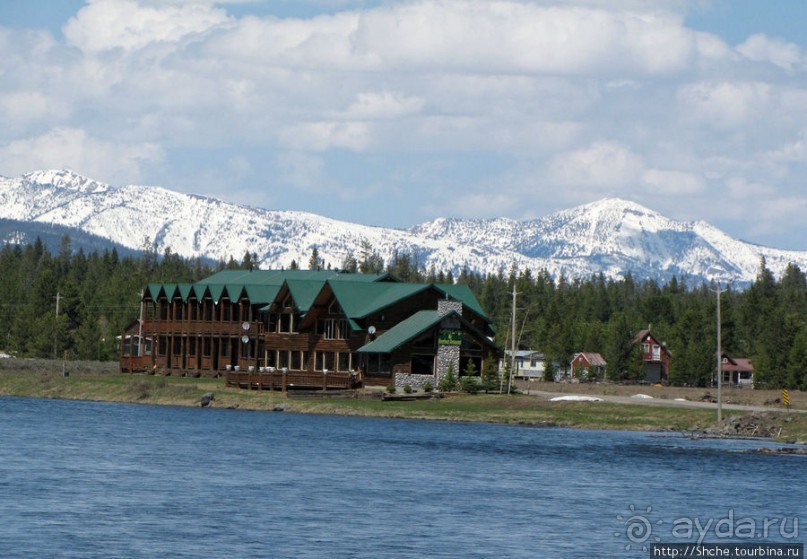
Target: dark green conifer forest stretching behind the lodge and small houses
{"points": [[74, 304]]}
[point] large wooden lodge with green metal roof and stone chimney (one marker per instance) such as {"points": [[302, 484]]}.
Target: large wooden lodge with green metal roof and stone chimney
{"points": [[303, 328]]}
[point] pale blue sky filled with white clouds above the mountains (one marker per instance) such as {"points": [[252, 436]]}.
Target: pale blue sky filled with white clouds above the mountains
{"points": [[397, 112]]}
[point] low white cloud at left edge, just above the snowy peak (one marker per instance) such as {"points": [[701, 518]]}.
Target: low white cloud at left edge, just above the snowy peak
{"points": [[75, 149]]}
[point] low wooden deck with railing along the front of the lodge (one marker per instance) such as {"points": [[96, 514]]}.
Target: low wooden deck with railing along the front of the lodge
{"points": [[278, 380]]}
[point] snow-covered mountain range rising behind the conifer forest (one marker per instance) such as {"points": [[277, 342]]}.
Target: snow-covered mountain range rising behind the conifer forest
{"points": [[611, 236]]}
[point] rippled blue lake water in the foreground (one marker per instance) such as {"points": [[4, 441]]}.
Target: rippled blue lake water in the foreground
{"points": [[98, 480]]}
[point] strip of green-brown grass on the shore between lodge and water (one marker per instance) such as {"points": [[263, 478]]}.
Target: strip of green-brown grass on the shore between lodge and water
{"points": [[103, 382]]}
